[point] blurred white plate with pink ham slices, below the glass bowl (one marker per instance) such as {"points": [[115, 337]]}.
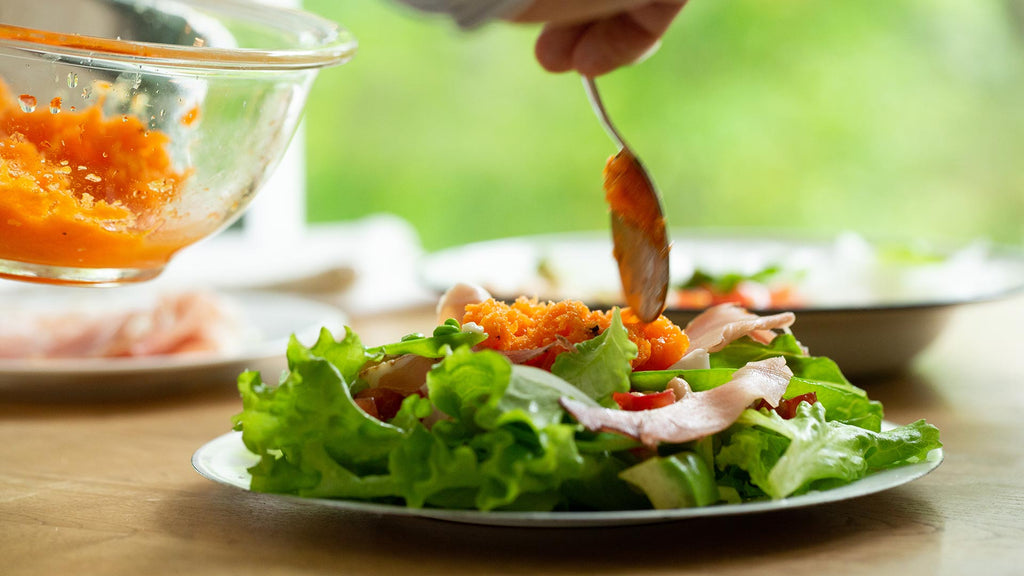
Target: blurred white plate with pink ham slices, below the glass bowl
{"points": [[90, 345]]}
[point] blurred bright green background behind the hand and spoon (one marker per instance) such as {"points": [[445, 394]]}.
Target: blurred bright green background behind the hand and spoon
{"points": [[895, 119]]}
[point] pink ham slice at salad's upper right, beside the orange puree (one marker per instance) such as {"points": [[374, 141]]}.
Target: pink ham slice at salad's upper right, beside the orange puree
{"points": [[718, 326]]}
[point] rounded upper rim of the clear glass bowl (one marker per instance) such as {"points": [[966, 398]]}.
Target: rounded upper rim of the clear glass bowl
{"points": [[334, 45]]}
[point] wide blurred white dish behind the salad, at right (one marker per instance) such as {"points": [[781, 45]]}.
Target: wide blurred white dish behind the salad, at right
{"points": [[855, 296]]}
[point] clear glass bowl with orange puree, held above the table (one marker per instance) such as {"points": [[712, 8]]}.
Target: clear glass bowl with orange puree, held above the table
{"points": [[131, 130]]}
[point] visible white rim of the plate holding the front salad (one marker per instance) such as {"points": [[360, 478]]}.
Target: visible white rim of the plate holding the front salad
{"points": [[226, 461]]}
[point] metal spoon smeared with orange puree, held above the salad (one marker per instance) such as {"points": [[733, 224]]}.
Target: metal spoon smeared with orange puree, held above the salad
{"points": [[638, 234]]}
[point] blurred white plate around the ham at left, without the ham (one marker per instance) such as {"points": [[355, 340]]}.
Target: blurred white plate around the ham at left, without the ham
{"points": [[270, 320]]}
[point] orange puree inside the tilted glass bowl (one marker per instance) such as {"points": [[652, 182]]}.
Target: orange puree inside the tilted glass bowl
{"points": [[82, 191]]}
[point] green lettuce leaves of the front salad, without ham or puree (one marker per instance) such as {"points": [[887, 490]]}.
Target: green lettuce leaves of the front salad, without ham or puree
{"points": [[497, 437]]}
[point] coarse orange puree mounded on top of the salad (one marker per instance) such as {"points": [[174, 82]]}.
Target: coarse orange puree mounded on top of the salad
{"points": [[528, 324]]}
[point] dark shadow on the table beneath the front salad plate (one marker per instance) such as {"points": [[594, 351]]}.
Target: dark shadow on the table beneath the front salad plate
{"points": [[235, 524]]}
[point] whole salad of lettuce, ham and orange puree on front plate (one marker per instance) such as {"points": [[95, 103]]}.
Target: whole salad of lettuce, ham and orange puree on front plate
{"points": [[552, 407]]}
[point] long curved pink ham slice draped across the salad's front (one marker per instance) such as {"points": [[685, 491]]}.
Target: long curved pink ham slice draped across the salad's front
{"points": [[696, 415]]}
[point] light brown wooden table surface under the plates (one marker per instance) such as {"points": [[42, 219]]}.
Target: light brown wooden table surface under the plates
{"points": [[108, 488]]}
